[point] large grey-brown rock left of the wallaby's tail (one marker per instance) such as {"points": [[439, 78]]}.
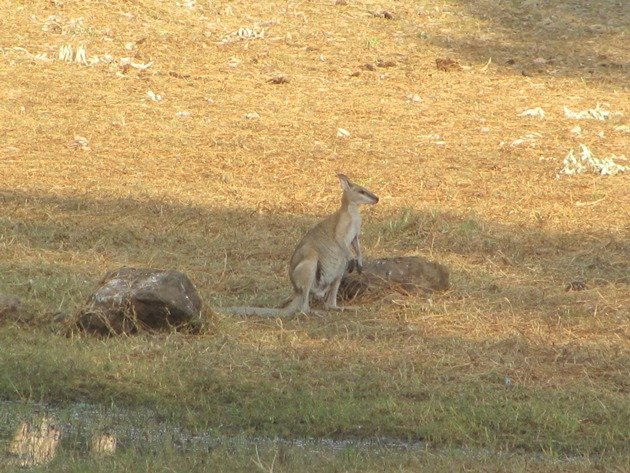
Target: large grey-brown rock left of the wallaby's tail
{"points": [[129, 300]]}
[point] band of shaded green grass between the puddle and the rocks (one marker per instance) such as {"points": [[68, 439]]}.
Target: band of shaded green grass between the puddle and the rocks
{"points": [[215, 382]]}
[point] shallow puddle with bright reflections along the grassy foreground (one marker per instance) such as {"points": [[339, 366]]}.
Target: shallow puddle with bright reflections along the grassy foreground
{"points": [[34, 433]]}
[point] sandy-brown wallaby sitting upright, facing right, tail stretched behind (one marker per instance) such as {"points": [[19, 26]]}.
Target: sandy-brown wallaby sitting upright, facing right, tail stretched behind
{"points": [[322, 255]]}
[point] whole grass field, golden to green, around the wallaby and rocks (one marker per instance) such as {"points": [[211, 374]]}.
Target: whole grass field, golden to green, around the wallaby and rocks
{"points": [[204, 136]]}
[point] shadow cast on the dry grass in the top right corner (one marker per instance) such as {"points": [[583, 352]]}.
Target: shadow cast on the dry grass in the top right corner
{"points": [[576, 38]]}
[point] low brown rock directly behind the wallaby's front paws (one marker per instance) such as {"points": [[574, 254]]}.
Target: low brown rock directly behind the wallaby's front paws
{"points": [[405, 273]]}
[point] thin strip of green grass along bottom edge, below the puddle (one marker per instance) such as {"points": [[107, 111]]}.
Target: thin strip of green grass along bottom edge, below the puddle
{"points": [[270, 458]]}
